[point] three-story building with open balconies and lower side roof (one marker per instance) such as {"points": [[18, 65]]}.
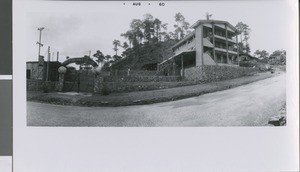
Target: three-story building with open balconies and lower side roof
{"points": [[212, 42]]}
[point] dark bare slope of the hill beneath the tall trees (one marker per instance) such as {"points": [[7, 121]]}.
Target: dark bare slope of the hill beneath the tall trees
{"points": [[145, 57]]}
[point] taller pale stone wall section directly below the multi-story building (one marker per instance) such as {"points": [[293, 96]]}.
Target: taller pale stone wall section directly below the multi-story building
{"points": [[211, 73]]}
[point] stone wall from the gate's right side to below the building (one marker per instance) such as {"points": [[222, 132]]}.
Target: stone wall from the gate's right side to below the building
{"points": [[193, 75]]}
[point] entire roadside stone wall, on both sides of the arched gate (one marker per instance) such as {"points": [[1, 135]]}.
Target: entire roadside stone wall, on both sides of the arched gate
{"points": [[109, 84]]}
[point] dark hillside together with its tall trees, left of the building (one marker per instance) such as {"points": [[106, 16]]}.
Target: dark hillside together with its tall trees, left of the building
{"points": [[148, 42]]}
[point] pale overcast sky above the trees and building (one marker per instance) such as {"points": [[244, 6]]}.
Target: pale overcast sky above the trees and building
{"points": [[75, 28]]}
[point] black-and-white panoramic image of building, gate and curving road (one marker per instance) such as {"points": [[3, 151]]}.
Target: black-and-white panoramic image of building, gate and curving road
{"points": [[162, 64]]}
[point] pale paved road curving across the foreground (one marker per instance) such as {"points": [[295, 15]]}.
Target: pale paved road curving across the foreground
{"points": [[249, 105]]}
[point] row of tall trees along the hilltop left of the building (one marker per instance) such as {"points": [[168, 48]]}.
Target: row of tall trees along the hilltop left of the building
{"points": [[146, 31]]}
